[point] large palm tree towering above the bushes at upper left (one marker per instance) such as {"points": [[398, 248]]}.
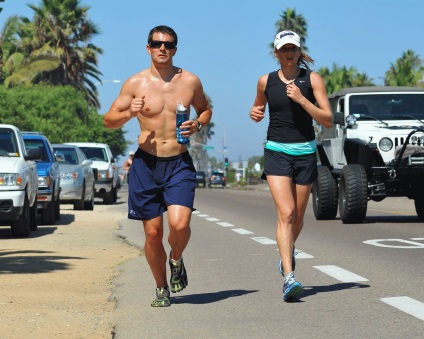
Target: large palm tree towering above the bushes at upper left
{"points": [[61, 31]]}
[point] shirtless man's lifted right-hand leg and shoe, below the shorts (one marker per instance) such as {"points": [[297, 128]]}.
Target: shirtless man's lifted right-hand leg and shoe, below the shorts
{"points": [[179, 235]]}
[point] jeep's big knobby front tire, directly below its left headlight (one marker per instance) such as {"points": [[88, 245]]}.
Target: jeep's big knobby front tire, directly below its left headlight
{"points": [[353, 194]]}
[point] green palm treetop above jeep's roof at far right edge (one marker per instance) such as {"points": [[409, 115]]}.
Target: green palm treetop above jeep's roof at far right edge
{"points": [[407, 71]]}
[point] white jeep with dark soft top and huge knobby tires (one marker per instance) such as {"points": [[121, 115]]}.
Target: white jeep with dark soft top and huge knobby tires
{"points": [[374, 150]]}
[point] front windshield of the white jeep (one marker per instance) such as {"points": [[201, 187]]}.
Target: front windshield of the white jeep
{"points": [[388, 106]]}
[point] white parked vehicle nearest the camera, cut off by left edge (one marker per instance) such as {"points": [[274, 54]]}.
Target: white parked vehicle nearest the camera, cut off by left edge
{"points": [[18, 182]]}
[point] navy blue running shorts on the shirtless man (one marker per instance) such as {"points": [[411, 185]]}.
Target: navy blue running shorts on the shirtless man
{"points": [[157, 182]]}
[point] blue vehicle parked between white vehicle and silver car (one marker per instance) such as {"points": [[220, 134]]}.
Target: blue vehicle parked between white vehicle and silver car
{"points": [[48, 202]]}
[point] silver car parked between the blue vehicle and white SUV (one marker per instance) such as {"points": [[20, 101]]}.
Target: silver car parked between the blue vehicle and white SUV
{"points": [[76, 177]]}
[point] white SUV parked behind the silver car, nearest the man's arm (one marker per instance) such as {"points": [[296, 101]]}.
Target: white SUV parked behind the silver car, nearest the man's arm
{"points": [[107, 170]]}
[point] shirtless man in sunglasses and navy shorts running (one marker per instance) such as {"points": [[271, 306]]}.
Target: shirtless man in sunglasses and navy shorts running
{"points": [[163, 177]]}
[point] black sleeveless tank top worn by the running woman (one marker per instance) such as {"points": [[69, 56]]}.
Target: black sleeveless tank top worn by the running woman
{"points": [[288, 121]]}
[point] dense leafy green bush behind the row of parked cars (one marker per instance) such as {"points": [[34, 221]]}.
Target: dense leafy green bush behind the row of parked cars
{"points": [[60, 112]]}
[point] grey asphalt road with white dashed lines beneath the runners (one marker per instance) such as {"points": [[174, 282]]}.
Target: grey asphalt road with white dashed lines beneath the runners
{"points": [[361, 281]]}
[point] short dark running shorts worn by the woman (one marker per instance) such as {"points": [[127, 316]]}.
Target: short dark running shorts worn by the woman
{"points": [[302, 169]]}
